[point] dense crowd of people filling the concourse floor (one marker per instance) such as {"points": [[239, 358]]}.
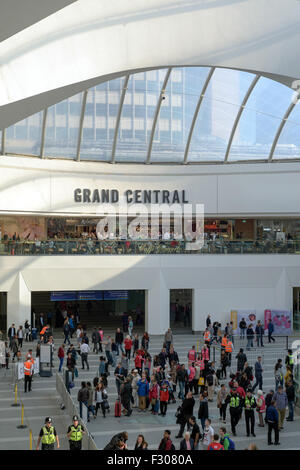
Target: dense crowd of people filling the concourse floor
{"points": [[147, 383]]}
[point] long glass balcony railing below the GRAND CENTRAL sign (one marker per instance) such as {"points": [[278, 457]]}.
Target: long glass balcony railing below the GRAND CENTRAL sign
{"points": [[143, 247]]}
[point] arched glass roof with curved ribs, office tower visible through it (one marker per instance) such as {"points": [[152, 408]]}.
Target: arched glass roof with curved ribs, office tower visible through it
{"points": [[168, 115]]}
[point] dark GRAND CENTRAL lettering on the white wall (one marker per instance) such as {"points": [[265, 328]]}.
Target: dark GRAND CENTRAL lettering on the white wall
{"points": [[136, 196]]}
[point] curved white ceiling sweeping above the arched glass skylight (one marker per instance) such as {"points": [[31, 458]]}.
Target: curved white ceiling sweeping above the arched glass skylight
{"points": [[89, 39]]}
